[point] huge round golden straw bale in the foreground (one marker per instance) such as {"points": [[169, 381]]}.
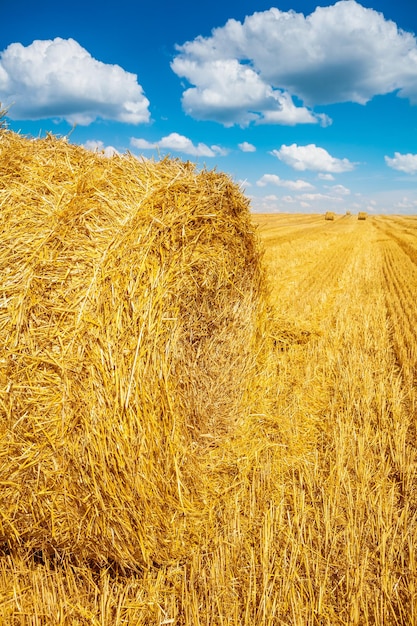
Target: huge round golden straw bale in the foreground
{"points": [[129, 307]]}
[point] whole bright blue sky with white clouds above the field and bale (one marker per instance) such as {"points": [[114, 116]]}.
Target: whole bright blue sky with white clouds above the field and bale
{"points": [[310, 106]]}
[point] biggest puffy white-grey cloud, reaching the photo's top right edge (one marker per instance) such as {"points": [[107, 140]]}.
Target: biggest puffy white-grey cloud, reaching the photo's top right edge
{"points": [[251, 71]]}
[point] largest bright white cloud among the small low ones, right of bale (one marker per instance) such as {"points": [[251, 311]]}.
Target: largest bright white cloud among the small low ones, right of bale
{"points": [[311, 157]]}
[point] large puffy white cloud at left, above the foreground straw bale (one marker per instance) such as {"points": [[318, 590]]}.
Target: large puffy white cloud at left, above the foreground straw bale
{"points": [[58, 78]]}
